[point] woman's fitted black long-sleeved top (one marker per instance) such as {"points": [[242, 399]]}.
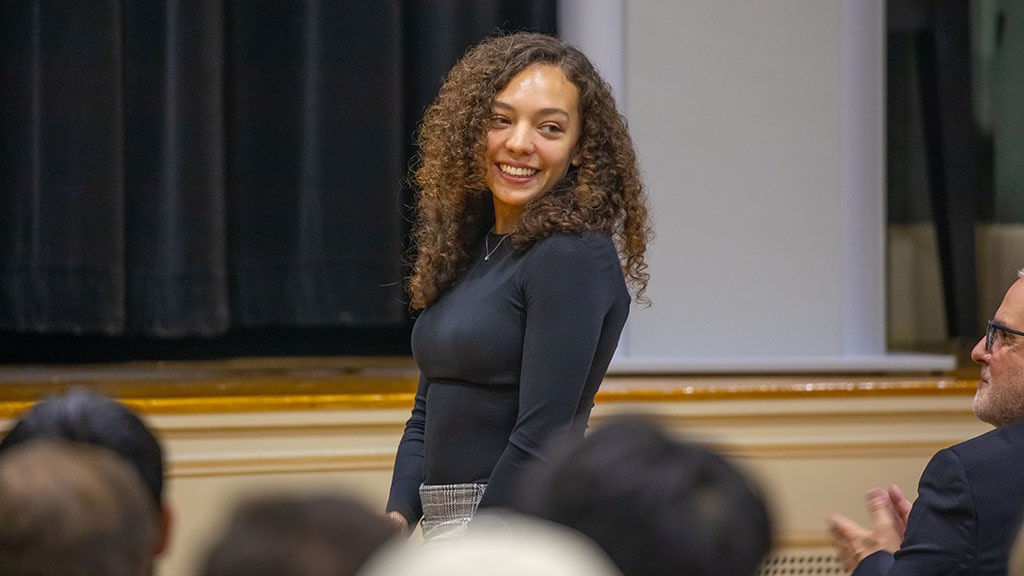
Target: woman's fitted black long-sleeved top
{"points": [[509, 358]]}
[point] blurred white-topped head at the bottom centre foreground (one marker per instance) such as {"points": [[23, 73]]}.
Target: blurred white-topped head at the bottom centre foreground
{"points": [[498, 545]]}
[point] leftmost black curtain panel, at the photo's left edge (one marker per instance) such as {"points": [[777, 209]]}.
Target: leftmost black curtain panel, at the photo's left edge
{"points": [[62, 191]]}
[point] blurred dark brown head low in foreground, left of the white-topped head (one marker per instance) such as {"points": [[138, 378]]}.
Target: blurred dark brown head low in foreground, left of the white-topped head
{"points": [[329, 536]]}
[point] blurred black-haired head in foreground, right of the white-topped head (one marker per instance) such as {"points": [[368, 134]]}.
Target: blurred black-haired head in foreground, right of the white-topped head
{"points": [[657, 506]]}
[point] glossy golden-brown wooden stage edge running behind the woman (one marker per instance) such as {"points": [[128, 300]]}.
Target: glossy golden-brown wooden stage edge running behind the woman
{"points": [[282, 385]]}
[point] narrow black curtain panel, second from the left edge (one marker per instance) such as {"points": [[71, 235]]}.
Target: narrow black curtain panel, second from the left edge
{"points": [[176, 187]]}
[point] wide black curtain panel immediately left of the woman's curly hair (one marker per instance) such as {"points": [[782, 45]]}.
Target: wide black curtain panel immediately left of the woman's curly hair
{"points": [[317, 157]]}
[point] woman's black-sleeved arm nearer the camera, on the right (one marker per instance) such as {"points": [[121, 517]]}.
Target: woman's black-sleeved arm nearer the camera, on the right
{"points": [[575, 295]]}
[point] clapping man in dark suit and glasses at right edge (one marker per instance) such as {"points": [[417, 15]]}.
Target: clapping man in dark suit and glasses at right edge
{"points": [[970, 496]]}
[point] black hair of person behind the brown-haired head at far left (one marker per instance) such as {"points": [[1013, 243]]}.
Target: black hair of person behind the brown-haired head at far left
{"points": [[84, 417]]}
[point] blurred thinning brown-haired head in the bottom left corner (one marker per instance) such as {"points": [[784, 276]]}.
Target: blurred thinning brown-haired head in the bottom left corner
{"points": [[73, 510]]}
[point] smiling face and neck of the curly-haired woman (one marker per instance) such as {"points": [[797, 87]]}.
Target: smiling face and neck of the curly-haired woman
{"points": [[532, 140]]}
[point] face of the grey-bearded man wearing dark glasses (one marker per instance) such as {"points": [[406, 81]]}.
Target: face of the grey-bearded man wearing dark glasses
{"points": [[1000, 399]]}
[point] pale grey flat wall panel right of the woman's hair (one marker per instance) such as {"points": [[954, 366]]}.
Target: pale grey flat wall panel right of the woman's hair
{"points": [[760, 129]]}
